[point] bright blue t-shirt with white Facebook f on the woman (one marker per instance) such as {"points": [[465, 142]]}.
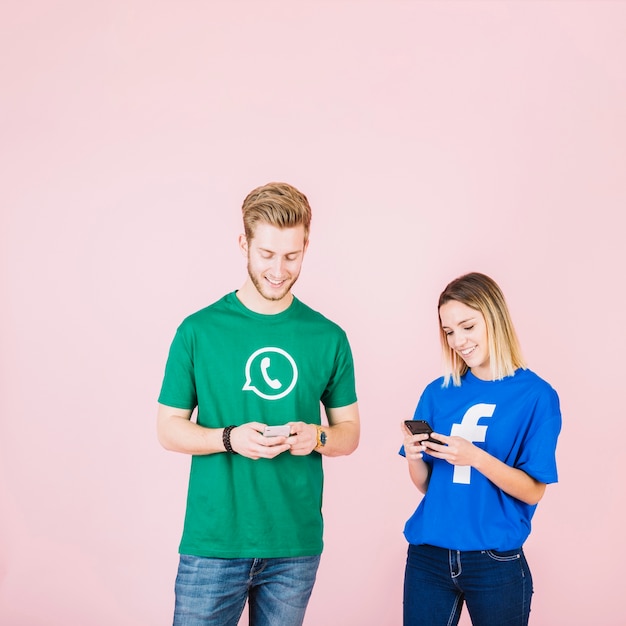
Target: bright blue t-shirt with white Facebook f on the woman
{"points": [[518, 421]]}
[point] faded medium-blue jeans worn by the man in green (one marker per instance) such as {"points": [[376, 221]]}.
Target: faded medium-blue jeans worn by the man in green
{"points": [[214, 591]]}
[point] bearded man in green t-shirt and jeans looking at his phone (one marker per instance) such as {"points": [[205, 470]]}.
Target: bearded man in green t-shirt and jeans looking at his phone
{"points": [[257, 357]]}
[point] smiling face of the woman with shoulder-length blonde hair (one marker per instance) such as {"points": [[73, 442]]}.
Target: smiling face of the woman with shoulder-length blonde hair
{"points": [[466, 331]]}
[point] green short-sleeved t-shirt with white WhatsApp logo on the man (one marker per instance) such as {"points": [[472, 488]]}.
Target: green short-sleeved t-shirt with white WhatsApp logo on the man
{"points": [[238, 366]]}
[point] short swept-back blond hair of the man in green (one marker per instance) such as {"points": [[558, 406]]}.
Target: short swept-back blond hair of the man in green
{"points": [[277, 204]]}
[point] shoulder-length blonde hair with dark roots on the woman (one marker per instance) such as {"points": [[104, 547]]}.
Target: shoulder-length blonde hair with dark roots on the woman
{"points": [[482, 294]]}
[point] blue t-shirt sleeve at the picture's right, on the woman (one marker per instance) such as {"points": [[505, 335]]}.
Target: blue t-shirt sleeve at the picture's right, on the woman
{"points": [[538, 454]]}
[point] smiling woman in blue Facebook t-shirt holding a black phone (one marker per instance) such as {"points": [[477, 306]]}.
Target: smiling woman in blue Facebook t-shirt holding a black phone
{"points": [[497, 423]]}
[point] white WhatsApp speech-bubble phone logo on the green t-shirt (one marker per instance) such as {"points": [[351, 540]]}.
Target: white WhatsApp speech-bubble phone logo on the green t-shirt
{"points": [[271, 373]]}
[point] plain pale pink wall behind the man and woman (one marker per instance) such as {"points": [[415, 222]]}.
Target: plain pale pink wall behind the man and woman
{"points": [[432, 138]]}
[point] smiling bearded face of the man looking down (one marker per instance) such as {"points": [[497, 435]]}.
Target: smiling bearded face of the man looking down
{"points": [[274, 259]]}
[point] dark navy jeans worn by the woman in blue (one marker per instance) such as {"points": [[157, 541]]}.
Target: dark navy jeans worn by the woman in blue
{"points": [[496, 586]]}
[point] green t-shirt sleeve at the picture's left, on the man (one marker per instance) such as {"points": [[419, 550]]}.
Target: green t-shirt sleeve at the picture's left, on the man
{"points": [[179, 387]]}
